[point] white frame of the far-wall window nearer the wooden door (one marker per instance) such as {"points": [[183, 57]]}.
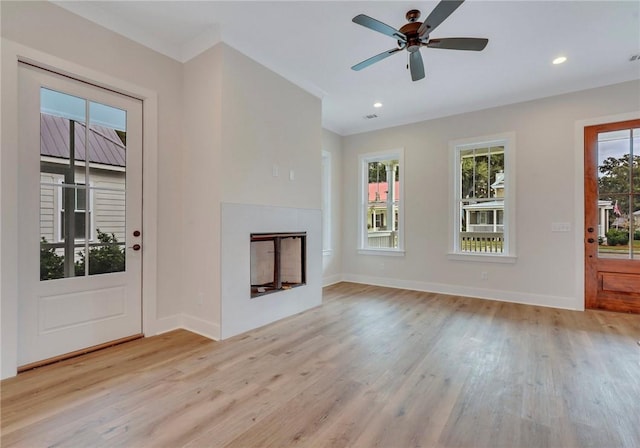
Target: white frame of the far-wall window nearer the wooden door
{"points": [[508, 140]]}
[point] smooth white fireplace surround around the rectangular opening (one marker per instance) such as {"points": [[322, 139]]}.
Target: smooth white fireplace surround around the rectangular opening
{"points": [[239, 311]]}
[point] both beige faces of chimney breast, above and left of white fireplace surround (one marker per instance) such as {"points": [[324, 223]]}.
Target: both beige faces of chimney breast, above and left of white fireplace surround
{"points": [[240, 120]]}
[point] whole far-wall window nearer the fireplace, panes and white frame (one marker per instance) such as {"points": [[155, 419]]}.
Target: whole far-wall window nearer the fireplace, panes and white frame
{"points": [[381, 199]]}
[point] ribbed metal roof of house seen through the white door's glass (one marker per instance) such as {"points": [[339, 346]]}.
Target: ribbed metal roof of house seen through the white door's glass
{"points": [[105, 147]]}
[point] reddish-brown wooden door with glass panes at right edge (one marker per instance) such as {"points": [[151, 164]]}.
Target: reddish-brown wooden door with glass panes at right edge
{"points": [[612, 216]]}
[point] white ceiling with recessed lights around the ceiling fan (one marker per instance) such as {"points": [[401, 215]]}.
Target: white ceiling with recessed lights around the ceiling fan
{"points": [[314, 44]]}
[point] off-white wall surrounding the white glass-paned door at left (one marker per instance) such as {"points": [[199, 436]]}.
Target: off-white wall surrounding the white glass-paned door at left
{"points": [[48, 34]]}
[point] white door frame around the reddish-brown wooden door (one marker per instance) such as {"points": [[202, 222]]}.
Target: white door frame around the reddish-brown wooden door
{"points": [[579, 230]]}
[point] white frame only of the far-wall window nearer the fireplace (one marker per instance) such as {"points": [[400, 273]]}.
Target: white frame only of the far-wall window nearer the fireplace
{"points": [[363, 163]]}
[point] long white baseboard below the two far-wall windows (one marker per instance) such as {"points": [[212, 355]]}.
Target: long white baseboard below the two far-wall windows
{"points": [[568, 303]]}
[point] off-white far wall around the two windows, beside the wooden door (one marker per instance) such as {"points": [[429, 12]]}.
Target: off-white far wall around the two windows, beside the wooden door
{"points": [[545, 270]]}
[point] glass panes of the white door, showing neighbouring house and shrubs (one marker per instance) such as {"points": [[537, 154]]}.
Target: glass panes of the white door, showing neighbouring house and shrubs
{"points": [[82, 186]]}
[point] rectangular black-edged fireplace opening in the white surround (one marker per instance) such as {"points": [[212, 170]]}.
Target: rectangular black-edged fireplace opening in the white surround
{"points": [[278, 262]]}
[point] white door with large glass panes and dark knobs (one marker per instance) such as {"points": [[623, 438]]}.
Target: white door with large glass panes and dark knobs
{"points": [[80, 197]]}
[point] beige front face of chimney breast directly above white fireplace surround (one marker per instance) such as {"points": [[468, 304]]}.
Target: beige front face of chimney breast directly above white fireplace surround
{"points": [[268, 121]]}
